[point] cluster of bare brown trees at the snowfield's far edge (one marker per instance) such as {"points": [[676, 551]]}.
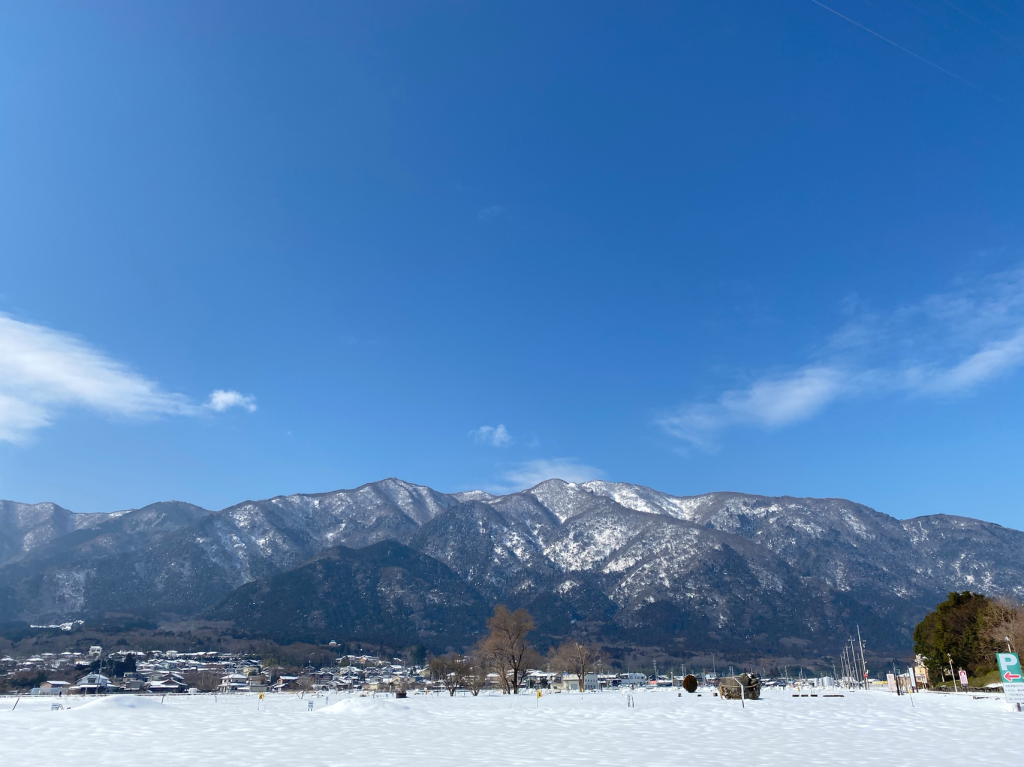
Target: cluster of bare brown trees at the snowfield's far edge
{"points": [[506, 652]]}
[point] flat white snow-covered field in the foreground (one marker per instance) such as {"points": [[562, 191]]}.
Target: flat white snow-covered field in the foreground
{"points": [[566, 730]]}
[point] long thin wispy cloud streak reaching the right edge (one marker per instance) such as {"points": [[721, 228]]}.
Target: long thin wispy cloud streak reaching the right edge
{"points": [[948, 346]]}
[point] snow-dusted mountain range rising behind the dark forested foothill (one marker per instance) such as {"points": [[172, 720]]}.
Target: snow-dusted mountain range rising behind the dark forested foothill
{"points": [[617, 562]]}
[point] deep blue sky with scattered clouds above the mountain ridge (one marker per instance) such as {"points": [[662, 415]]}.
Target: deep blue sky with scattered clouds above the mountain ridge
{"points": [[253, 249]]}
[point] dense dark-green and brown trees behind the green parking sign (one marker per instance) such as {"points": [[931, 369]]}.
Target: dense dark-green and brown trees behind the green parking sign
{"points": [[968, 630]]}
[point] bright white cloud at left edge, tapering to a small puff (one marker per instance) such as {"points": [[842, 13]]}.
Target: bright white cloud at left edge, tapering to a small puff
{"points": [[45, 372]]}
